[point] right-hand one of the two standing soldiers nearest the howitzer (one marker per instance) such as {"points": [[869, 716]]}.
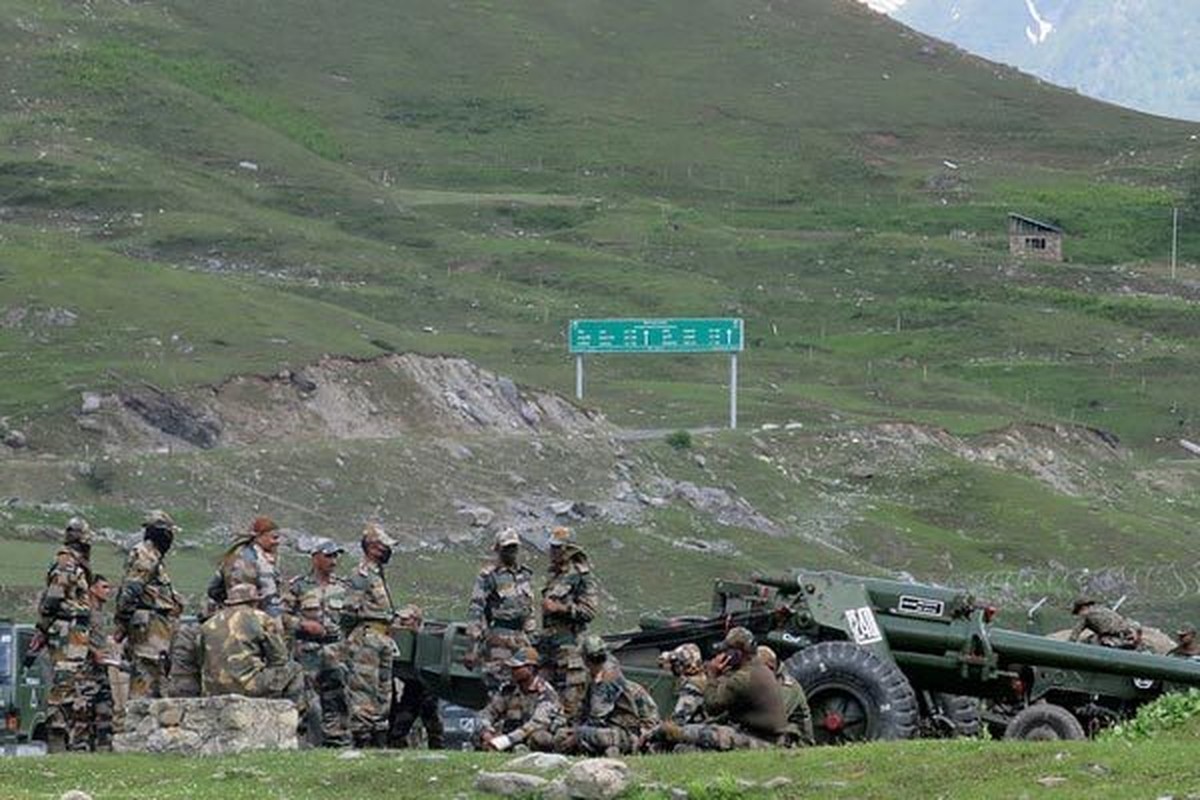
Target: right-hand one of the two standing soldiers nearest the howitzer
{"points": [[568, 606]]}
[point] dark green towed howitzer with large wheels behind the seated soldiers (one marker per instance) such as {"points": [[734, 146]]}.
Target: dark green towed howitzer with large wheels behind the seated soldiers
{"points": [[879, 659]]}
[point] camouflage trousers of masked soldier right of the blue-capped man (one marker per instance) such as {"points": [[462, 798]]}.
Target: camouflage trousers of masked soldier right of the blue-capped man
{"points": [[369, 687]]}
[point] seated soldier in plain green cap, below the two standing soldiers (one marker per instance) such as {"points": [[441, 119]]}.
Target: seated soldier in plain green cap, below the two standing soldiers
{"points": [[619, 713]]}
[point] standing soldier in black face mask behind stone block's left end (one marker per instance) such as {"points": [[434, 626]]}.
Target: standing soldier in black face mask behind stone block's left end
{"points": [[148, 607]]}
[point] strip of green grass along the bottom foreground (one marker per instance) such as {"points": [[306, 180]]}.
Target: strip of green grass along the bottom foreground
{"points": [[1165, 768]]}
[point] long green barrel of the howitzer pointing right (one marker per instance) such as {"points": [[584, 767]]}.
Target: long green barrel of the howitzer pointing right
{"points": [[1015, 648]]}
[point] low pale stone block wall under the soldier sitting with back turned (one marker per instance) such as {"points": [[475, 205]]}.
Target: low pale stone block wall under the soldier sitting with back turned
{"points": [[208, 726]]}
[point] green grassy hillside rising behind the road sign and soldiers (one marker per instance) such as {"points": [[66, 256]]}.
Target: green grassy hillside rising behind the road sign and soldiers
{"points": [[194, 191]]}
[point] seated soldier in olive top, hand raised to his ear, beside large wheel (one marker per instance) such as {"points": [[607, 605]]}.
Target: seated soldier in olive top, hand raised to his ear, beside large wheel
{"points": [[742, 702]]}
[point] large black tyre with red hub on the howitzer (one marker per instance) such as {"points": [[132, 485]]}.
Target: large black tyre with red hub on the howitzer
{"points": [[855, 695]]}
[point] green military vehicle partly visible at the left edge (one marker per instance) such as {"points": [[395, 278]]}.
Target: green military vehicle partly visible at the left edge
{"points": [[22, 693]]}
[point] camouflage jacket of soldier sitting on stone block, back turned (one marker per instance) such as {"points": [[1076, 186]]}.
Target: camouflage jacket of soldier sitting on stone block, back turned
{"points": [[238, 643]]}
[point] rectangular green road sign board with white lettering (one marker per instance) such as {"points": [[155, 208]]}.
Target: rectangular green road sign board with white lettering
{"points": [[717, 335]]}
